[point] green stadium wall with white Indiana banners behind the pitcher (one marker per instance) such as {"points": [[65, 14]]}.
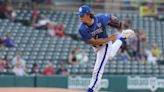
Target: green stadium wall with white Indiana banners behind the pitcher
{"points": [[117, 83]]}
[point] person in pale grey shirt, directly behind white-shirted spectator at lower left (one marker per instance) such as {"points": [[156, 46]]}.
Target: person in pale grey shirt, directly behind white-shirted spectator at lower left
{"points": [[18, 60]]}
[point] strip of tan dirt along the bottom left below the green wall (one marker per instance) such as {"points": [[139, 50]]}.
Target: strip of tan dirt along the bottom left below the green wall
{"points": [[37, 90]]}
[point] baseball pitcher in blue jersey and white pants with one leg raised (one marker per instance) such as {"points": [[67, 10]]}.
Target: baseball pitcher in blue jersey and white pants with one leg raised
{"points": [[93, 31]]}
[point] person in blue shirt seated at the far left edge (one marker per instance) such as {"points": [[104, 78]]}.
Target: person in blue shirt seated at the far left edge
{"points": [[8, 41]]}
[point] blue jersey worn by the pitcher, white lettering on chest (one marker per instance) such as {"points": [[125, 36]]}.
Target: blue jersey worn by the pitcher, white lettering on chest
{"points": [[97, 29]]}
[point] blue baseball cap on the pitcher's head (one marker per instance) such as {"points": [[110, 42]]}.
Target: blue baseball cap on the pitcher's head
{"points": [[84, 9]]}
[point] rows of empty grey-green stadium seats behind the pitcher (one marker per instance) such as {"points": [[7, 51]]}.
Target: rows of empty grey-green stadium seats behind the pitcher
{"points": [[37, 47]]}
